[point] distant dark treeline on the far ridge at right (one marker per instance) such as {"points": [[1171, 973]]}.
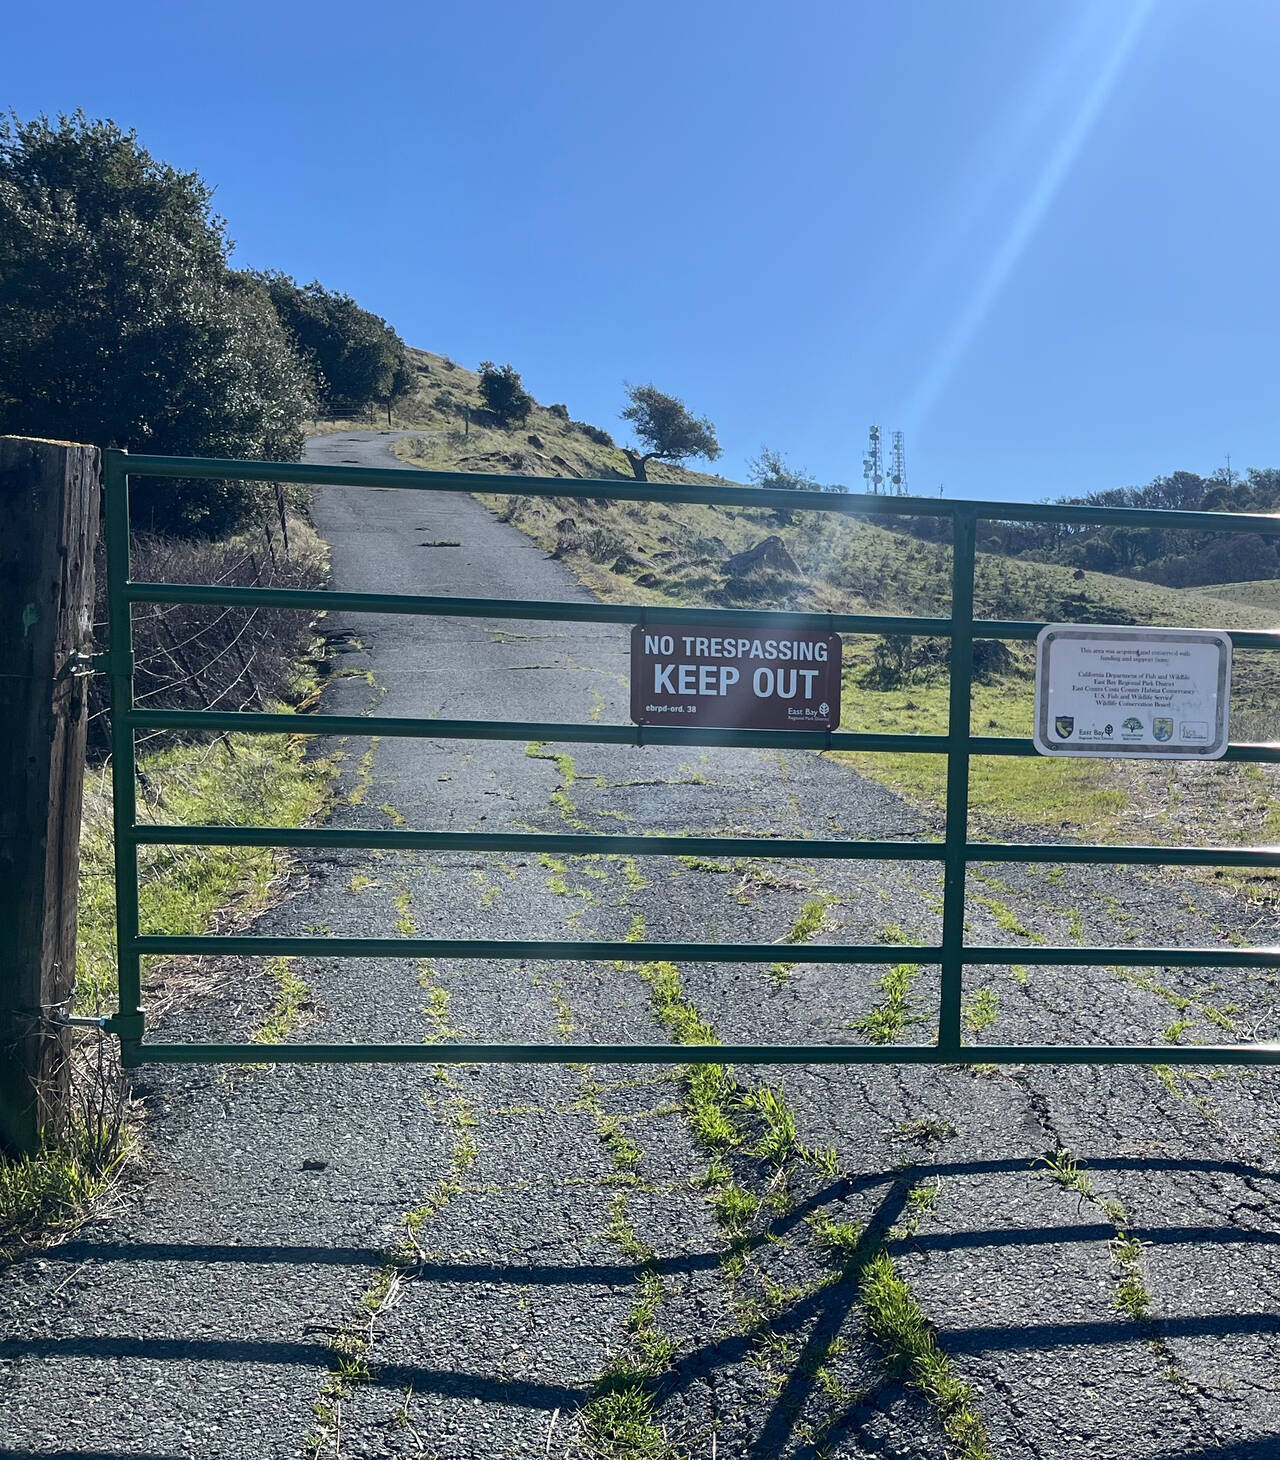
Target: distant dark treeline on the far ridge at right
{"points": [[1173, 557]]}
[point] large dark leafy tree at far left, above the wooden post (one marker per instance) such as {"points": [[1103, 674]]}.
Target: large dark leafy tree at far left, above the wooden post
{"points": [[120, 323]]}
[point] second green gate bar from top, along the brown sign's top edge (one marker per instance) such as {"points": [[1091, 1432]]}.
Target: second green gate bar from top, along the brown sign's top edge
{"points": [[647, 615]]}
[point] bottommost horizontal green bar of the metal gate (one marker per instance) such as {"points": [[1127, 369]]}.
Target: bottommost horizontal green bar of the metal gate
{"points": [[701, 1055]]}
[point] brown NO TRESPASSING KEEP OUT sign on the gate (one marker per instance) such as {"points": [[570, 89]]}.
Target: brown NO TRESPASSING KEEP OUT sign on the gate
{"points": [[754, 680]]}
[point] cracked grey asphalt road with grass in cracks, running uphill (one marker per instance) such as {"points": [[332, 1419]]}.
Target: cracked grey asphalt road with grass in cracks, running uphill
{"points": [[201, 1318]]}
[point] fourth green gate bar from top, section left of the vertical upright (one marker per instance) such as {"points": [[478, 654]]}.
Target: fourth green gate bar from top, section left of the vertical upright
{"points": [[571, 843]]}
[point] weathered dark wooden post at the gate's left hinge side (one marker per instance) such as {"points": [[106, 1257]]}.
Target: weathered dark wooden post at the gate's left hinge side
{"points": [[49, 526]]}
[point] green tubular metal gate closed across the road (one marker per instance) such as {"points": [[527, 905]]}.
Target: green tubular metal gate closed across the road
{"points": [[954, 853]]}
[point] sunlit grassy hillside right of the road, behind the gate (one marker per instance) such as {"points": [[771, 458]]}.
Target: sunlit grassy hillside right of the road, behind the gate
{"points": [[678, 556]]}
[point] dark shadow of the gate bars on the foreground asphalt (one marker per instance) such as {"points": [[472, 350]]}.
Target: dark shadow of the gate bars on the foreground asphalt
{"points": [[820, 1316]]}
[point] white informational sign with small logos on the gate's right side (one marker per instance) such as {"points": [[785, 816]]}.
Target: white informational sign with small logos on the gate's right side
{"points": [[1114, 691]]}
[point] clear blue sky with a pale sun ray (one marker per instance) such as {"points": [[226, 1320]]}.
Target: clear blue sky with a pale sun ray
{"points": [[1040, 239]]}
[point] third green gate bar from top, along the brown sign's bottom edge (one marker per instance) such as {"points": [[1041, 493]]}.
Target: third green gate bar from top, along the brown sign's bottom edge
{"points": [[253, 722]]}
